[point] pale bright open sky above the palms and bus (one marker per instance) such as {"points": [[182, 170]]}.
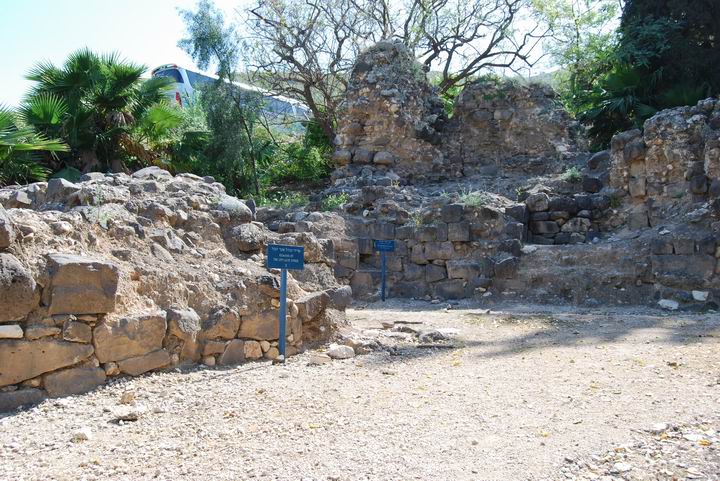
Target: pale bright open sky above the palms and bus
{"points": [[143, 31]]}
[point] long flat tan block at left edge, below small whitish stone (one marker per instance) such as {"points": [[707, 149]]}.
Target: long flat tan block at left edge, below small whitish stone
{"points": [[21, 360]]}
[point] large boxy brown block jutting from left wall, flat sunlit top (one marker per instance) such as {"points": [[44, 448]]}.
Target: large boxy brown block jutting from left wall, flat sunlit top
{"points": [[80, 285]]}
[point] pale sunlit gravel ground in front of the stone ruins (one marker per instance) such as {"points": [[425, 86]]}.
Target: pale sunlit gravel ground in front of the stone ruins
{"points": [[520, 393]]}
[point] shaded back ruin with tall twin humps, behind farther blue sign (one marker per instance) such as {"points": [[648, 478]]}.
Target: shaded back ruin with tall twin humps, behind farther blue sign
{"points": [[481, 205]]}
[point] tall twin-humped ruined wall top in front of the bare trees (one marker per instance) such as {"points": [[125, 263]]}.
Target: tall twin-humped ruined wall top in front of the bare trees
{"points": [[393, 122]]}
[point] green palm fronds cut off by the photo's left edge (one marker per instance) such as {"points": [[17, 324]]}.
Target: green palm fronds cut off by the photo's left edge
{"points": [[21, 150]]}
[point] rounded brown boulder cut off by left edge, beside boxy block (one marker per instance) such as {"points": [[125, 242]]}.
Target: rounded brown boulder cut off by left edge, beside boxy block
{"points": [[17, 289]]}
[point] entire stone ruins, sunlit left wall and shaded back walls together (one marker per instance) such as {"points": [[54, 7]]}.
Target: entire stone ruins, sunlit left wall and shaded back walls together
{"points": [[120, 275]]}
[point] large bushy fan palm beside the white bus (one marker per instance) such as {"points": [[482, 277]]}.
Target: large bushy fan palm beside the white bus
{"points": [[95, 102]]}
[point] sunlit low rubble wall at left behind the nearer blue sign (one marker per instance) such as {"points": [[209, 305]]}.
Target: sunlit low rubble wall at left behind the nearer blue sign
{"points": [[121, 275]]}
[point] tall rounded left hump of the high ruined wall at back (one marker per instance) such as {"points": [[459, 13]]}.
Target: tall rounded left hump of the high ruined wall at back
{"points": [[390, 118]]}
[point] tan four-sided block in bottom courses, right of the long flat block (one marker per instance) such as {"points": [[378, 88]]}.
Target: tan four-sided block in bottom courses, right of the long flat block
{"points": [[120, 339]]}
